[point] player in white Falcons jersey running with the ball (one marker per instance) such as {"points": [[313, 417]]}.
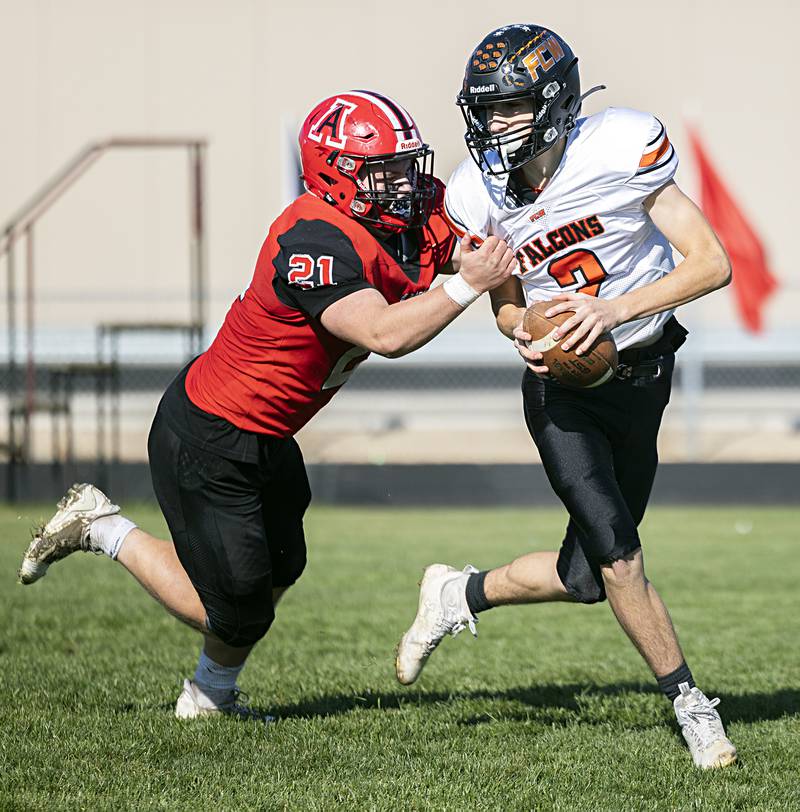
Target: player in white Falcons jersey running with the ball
{"points": [[591, 210]]}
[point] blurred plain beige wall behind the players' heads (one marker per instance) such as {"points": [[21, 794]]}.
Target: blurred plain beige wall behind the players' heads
{"points": [[236, 72]]}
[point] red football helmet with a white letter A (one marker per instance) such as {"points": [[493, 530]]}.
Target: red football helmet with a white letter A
{"points": [[362, 152]]}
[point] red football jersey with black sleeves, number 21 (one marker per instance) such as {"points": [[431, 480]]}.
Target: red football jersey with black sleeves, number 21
{"points": [[273, 365]]}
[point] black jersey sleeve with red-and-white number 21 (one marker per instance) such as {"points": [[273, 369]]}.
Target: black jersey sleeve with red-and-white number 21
{"points": [[316, 266]]}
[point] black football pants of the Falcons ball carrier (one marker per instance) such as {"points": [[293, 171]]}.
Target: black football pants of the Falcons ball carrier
{"points": [[598, 448]]}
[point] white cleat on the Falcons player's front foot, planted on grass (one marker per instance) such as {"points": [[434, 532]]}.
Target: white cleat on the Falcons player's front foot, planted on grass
{"points": [[702, 728]]}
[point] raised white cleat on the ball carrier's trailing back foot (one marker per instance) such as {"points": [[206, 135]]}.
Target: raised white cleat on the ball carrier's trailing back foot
{"points": [[442, 610]]}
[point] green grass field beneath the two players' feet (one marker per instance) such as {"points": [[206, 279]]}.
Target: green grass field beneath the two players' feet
{"points": [[550, 708]]}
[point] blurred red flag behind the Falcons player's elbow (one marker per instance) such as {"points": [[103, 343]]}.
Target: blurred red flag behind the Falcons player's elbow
{"points": [[752, 282]]}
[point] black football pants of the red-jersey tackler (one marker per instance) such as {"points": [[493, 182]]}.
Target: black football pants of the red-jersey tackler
{"points": [[237, 527]]}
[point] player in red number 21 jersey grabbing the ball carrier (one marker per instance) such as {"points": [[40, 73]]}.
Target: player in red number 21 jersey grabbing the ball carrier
{"points": [[345, 270]]}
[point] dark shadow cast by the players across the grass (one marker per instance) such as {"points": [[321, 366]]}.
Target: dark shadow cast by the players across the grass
{"points": [[556, 704]]}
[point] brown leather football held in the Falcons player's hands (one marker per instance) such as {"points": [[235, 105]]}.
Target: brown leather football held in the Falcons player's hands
{"points": [[590, 369]]}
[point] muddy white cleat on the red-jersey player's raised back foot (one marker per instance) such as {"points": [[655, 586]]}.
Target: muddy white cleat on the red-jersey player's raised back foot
{"points": [[66, 532]]}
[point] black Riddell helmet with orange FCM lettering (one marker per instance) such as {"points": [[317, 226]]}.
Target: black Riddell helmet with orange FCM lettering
{"points": [[519, 62]]}
